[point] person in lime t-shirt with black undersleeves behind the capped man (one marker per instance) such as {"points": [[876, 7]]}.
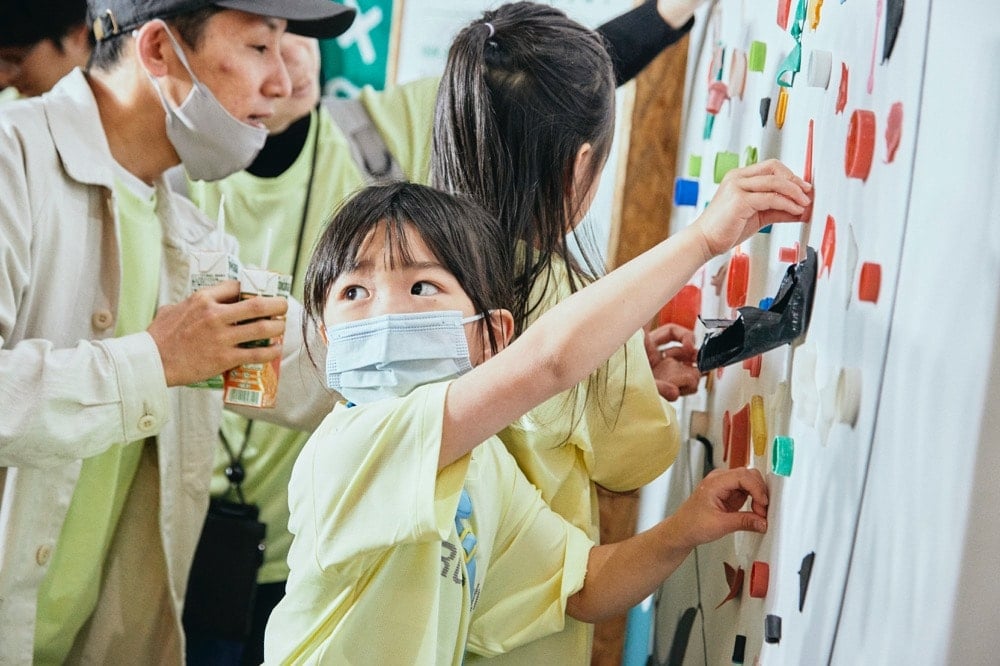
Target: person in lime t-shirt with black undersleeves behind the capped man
{"points": [[288, 193]]}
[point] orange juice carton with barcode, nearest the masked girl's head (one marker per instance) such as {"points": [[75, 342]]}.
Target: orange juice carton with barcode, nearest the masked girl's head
{"points": [[256, 384]]}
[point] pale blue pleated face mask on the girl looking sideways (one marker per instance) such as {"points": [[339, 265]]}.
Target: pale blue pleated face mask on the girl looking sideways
{"points": [[389, 356]]}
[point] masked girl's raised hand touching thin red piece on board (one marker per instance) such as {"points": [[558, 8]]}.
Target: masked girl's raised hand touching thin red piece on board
{"points": [[749, 199]]}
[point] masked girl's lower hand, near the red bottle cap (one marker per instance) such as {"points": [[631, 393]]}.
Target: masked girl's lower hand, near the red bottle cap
{"points": [[714, 508]]}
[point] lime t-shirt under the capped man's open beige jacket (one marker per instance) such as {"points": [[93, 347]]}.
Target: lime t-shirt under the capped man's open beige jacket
{"points": [[69, 592]]}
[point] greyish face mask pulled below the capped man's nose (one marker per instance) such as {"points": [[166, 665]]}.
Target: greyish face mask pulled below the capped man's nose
{"points": [[211, 143]]}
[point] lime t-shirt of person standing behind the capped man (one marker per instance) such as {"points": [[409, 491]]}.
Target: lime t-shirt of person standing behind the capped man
{"points": [[404, 117]]}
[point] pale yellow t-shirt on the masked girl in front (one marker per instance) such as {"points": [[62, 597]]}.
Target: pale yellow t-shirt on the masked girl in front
{"points": [[378, 574]]}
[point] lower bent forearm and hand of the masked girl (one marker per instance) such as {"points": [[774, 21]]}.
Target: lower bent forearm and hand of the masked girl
{"points": [[620, 575]]}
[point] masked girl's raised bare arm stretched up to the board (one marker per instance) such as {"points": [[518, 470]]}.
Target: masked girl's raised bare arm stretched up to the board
{"points": [[572, 339]]}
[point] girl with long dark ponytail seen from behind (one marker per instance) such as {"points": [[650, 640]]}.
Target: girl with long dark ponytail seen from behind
{"points": [[524, 125]]}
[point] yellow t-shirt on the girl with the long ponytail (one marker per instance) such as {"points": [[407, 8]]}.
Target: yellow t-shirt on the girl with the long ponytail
{"points": [[617, 432]]}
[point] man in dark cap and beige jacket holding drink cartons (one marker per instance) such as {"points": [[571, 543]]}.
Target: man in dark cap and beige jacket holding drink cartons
{"points": [[105, 454]]}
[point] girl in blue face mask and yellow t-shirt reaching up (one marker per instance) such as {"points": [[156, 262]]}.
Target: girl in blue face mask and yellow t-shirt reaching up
{"points": [[416, 537]]}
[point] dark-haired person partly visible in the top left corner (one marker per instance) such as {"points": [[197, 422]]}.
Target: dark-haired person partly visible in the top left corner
{"points": [[40, 42]]}
